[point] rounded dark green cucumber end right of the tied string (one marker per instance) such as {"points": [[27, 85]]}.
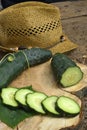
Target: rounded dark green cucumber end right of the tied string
{"points": [[37, 56]]}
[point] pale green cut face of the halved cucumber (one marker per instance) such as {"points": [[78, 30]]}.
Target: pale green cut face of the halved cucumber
{"points": [[71, 76]]}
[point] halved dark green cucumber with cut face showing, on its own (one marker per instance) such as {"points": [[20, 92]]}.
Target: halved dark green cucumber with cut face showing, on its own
{"points": [[65, 70]]}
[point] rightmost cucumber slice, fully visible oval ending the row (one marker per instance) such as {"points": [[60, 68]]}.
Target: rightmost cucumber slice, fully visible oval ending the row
{"points": [[68, 105]]}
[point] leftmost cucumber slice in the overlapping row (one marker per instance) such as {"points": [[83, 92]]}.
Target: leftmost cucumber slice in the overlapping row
{"points": [[7, 95]]}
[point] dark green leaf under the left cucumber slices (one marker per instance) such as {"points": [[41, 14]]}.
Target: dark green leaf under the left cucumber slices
{"points": [[12, 117]]}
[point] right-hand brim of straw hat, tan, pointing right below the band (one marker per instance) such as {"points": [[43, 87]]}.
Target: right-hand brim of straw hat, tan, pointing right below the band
{"points": [[64, 46]]}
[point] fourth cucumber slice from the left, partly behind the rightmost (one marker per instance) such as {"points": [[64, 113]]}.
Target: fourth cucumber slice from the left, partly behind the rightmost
{"points": [[49, 104]]}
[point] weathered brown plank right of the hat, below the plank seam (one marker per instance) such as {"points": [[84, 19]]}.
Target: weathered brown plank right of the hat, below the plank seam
{"points": [[76, 30]]}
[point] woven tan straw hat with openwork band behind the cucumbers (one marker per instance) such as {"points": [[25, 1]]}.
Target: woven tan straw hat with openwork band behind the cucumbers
{"points": [[33, 24]]}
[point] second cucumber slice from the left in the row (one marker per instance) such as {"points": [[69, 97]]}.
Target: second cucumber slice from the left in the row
{"points": [[20, 95]]}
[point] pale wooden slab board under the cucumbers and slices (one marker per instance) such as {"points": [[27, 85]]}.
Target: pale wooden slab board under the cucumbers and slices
{"points": [[42, 79]]}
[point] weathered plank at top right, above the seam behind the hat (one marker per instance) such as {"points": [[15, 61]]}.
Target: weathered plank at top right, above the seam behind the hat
{"points": [[71, 9]]}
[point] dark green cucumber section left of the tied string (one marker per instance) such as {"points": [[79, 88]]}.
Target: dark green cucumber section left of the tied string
{"points": [[10, 70]]}
